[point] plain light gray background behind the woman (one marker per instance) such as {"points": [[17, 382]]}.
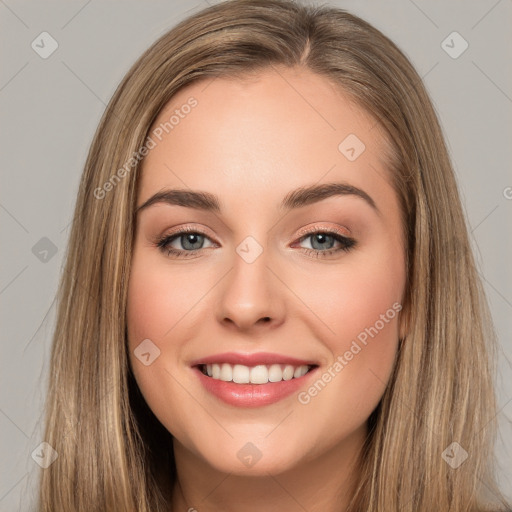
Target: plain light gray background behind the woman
{"points": [[50, 109]]}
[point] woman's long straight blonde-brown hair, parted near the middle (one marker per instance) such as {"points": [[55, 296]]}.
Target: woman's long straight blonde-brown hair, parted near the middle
{"points": [[113, 453]]}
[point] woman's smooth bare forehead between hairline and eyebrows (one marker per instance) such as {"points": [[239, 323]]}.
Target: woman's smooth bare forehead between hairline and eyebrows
{"points": [[254, 139]]}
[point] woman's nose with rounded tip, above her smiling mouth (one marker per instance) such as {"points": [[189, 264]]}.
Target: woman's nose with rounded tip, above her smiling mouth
{"points": [[251, 296]]}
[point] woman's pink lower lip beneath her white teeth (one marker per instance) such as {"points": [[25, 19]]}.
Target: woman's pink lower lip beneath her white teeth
{"points": [[252, 395]]}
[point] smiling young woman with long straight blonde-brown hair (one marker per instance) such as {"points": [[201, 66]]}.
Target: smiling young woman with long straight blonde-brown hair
{"points": [[270, 300]]}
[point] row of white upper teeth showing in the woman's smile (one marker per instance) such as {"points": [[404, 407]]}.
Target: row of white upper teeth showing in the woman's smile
{"points": [[260, 374]]}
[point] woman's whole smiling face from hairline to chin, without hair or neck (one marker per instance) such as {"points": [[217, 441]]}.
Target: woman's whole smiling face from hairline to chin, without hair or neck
{"points": [[271, 278]]}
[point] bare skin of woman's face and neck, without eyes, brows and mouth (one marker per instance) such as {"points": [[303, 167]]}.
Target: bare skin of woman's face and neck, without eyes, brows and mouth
{"points": [[251, 142]]}
